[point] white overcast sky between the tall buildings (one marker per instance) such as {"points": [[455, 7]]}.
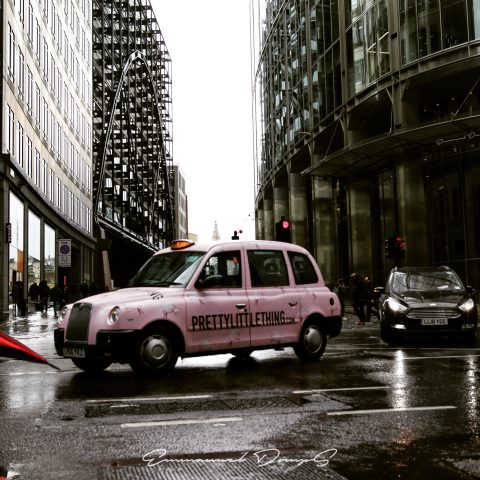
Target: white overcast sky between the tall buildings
{"points": [[209, 43]]}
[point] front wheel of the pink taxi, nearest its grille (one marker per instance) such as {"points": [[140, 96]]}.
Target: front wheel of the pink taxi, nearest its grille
{"points": [[155, 352]]}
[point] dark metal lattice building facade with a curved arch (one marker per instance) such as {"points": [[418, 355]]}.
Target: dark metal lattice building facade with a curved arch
{"points": [[132, 123]]}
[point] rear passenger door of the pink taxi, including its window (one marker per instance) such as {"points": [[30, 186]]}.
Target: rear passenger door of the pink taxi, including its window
{"points": [[274, 303]]}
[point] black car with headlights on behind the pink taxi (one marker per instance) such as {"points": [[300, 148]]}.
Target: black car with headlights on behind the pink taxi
{"points": [[426, 301]]}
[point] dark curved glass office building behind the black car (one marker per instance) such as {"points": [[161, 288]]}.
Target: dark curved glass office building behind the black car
{"points": [[367, 127]]}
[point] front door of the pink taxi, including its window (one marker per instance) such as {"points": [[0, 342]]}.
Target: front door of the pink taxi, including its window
{"points": [[217, 307]]}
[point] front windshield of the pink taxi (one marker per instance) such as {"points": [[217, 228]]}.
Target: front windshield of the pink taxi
{"points": [[167, 269]]}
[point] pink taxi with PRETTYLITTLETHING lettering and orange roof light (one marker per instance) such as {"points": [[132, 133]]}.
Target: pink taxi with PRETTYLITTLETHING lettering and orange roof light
{"points": [[201, 299]]}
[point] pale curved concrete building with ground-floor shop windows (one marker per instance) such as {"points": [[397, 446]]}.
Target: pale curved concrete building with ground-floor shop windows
{"points": [[46, 159]]}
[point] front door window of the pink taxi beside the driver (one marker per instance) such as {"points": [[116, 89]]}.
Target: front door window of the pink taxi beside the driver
{"points": [[227, 267]]}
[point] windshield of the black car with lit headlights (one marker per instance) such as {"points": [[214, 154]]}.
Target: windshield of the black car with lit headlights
{"points": [[425, 281]]}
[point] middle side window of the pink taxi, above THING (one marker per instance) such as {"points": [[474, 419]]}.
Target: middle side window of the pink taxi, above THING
{"points": [[267, 268]]}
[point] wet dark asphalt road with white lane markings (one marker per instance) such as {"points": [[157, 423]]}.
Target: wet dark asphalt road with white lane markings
{"points": [[364, 411]]}
